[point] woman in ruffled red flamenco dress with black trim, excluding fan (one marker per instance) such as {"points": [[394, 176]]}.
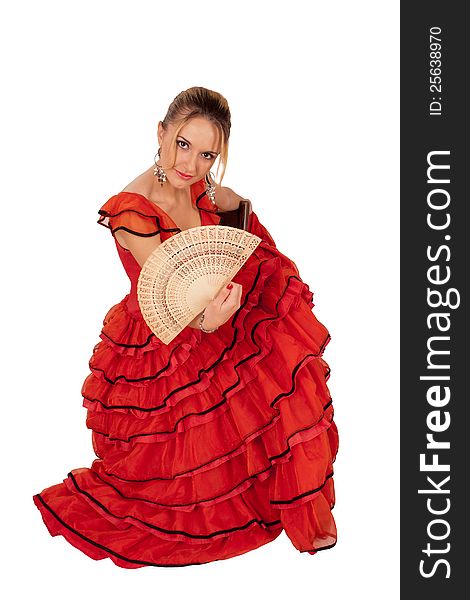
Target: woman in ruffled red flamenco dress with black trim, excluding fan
{"points": [[212, 445]]}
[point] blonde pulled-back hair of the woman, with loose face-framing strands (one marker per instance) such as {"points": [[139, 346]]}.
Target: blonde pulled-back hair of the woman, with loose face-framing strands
{"points": [[201, 102]]}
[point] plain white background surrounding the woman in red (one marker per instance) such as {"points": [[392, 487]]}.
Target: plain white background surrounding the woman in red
{"points": [[313, 90]]}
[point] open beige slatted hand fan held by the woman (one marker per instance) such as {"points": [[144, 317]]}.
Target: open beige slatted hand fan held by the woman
{"points": [[186, 271]]}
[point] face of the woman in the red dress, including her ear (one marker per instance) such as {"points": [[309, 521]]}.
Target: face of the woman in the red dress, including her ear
{"points": [[197, 147]]}
